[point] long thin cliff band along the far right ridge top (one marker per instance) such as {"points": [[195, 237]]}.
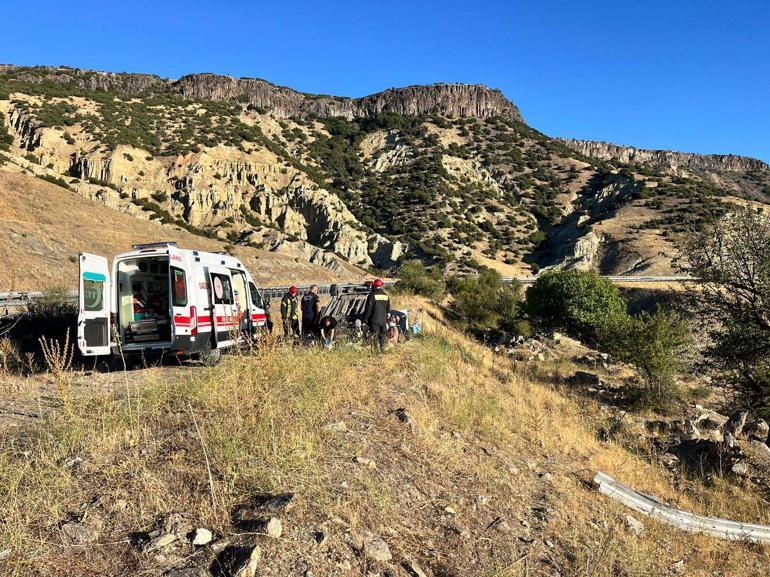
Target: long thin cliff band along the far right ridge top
{"points": [[666, 159]]}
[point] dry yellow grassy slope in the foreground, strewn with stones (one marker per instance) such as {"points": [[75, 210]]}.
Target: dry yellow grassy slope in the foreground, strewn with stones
{"points": [[483, 428]]}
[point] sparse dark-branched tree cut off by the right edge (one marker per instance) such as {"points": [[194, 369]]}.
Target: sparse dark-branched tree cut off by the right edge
{"points": [[731, 261]]}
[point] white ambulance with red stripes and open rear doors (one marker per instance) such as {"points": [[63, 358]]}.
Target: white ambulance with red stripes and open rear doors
{"points": [[160, 298]]}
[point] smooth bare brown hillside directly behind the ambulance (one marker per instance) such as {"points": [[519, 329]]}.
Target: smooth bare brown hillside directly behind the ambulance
{"points": [[44, 227]]}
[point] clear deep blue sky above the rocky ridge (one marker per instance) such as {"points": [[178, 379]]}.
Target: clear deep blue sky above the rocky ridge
{"points": [[684, 74]]}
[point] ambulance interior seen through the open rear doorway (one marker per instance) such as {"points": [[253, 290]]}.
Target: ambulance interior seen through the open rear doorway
{"points": [[143, 300]]}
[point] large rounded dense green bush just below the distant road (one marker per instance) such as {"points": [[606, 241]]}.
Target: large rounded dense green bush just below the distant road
{"points": [[580, 303]]}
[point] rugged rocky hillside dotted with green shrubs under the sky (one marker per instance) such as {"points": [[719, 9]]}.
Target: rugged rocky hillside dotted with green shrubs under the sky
{"points": [[447, 173]]}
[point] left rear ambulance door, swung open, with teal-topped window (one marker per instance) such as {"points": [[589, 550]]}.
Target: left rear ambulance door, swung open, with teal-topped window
{"points": [[94, 305]]}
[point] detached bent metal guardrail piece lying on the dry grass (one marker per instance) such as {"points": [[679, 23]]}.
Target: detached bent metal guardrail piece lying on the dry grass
{"points": [[691, 522]]}
